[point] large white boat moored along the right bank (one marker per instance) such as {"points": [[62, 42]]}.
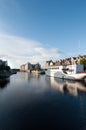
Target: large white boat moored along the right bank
{"points": [[72, 72]]}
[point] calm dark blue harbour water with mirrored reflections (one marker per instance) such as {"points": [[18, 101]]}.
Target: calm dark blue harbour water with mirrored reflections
{"points": [[30, 101]]}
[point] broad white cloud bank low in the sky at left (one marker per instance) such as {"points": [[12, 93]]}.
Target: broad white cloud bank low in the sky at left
{"points": [[18, 50]]}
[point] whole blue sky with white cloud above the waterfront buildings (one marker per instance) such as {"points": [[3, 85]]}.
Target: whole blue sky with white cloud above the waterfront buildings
{"points": [[39, 30]]}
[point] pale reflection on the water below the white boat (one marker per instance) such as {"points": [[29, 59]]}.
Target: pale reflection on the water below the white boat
{"points": [[66, 85]]}
